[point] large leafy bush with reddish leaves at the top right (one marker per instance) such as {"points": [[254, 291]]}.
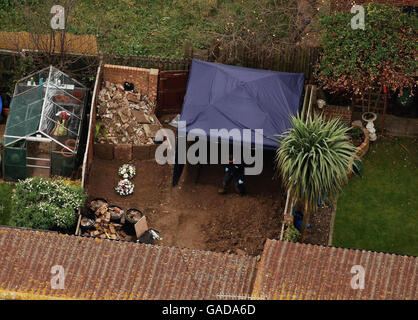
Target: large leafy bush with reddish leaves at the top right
{"points": [[384, 53]]}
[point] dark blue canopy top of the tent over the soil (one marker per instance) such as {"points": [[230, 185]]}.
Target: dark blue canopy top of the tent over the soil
{"points": [[227, 97]]}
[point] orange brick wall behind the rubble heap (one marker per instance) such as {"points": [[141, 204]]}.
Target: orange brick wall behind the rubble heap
{"points": [[145, 80]]}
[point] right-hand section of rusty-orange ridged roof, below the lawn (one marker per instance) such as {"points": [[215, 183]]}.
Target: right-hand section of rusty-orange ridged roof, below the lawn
{"points": [[301, 271]]}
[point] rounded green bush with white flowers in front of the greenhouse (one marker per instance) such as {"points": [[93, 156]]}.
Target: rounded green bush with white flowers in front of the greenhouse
{"points": [[45, 204]]}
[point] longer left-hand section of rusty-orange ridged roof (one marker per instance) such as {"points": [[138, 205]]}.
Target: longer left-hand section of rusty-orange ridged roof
{"points": [[105, 269]]}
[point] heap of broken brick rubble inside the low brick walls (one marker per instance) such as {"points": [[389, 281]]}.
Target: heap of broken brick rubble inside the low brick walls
{"points": [[127, 116]]}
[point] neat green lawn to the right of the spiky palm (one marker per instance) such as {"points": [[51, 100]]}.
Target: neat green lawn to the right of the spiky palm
{"points": [[380, 211]]}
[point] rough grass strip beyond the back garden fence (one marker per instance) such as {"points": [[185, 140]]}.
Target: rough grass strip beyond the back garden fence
{"points": [[142, 27]]}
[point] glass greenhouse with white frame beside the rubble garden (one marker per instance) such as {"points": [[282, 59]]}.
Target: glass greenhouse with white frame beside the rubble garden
{"points": [[44, 126]]}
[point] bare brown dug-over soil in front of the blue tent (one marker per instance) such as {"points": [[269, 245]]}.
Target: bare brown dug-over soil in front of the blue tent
{"points": [[193, 214]]}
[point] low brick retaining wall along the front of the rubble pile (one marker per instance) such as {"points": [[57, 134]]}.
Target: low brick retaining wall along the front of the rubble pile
{"points": [[125, 152]]}
